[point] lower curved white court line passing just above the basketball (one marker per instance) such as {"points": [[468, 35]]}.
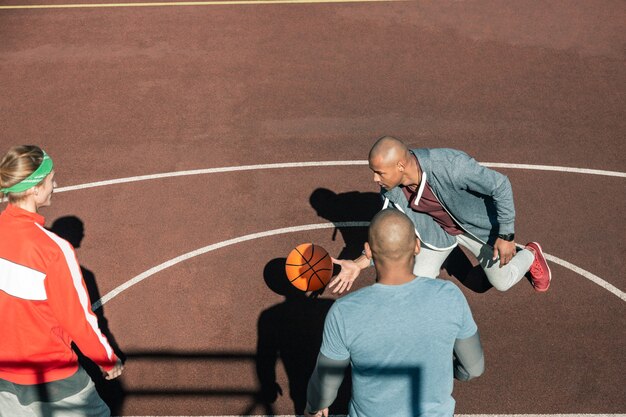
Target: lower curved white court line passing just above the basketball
{"points": [[144, 275]]}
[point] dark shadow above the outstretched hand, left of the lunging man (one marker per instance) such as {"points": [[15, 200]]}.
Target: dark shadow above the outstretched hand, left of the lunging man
{"points": [[353, 206]]}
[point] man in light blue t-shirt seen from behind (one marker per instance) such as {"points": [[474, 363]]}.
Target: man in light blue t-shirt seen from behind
{"points": [[405, 336]]}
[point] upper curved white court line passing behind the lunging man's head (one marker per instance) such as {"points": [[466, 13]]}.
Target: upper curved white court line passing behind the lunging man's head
{"points": [[316, 164]]}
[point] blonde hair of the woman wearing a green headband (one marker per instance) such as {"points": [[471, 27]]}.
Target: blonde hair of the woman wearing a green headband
{"points": [[18, 163]]}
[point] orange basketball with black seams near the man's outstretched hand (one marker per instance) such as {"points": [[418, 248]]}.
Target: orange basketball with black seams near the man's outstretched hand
{"points": [[309, 267]]}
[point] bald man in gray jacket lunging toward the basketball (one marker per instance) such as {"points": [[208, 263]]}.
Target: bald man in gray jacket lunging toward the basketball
{"points": [[451, 200]]}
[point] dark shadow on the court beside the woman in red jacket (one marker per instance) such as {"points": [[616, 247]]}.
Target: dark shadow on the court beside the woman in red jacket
{"points": [[72, 229]]}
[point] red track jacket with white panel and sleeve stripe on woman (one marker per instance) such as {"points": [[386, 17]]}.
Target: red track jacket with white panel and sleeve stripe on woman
{"points": [[44, 304]]}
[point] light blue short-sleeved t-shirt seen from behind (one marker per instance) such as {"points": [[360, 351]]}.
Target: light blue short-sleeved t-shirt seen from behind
{"points": [[400, 343]]}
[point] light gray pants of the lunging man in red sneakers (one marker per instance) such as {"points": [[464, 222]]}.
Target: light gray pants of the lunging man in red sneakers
{"points": [[428, 262]]}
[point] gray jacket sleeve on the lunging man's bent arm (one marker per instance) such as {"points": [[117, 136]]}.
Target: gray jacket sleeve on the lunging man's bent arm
{"points": [[474, 177]]}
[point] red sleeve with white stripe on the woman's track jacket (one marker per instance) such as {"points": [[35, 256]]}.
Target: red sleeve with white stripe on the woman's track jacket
{"points": [[70, 304]]}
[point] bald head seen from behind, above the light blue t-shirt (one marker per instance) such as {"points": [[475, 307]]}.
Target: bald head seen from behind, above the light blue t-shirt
{"points": [[391, 236]]}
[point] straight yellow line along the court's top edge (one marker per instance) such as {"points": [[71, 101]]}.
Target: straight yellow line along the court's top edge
{"points": [[183, 4]]}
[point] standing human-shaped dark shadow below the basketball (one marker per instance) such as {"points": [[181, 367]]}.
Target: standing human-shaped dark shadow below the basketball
{"points": [[292, 332]]}
